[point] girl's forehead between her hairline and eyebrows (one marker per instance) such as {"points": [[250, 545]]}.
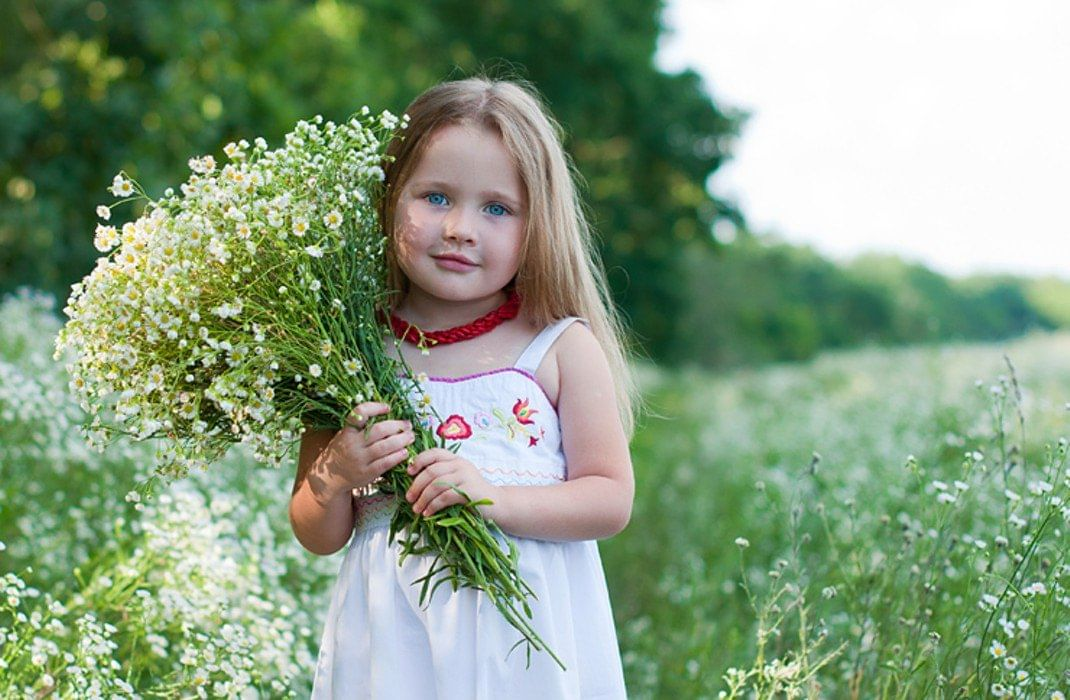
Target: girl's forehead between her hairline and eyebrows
{"points": [[469, 157]]}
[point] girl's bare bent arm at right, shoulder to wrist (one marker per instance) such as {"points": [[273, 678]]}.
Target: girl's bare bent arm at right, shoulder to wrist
{"points": [[597, 501]]}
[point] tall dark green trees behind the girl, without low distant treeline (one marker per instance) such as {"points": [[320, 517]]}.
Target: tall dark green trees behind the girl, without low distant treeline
{"points": [[91, 89]]}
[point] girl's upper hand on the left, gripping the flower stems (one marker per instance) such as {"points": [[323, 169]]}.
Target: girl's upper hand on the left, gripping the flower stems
{"points": [[368, 453]]}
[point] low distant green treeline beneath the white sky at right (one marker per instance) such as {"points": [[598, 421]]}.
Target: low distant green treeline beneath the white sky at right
{"points": [[760, 301]]}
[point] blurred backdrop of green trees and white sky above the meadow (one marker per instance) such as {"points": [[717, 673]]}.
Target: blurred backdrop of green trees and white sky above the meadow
{"points": [[784, 178]]}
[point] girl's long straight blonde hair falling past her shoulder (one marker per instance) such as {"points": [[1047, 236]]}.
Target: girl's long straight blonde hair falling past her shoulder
{"points": [[560, 273]]}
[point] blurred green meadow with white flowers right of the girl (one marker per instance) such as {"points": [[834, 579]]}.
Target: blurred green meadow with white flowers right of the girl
{"points": [[836, 529]]}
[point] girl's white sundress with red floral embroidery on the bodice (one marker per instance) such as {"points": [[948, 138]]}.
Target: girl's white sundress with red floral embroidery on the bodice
{"points": [[378, 643]]}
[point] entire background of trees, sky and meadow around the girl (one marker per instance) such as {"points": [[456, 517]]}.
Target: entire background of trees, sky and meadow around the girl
{"points": [[865, 199]]}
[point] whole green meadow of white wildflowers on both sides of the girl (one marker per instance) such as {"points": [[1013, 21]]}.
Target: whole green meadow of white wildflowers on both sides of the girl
{"points": [[873, 524]]}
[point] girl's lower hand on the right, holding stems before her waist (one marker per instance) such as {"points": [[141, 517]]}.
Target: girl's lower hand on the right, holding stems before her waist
{"points": [[436, 470]]}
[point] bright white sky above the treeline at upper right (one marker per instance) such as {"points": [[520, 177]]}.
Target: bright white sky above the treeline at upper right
{"points": [[938, 130]]}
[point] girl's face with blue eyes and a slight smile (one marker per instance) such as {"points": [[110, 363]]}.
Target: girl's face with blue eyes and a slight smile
{"points": [[461, 218]]}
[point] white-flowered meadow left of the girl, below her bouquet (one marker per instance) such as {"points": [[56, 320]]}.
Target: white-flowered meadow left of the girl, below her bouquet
{"points": [[204, 592]]}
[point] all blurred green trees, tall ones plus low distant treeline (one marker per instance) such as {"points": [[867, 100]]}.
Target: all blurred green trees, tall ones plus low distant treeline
{"points": [[89, 89]]}
